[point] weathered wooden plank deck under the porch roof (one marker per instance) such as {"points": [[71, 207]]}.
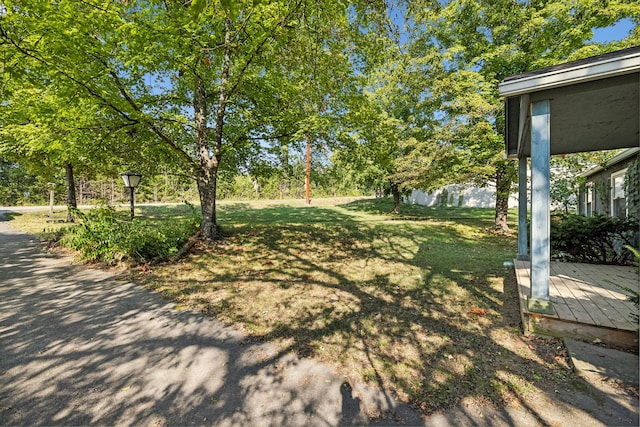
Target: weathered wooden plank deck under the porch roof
{"points": [[588, 303]]}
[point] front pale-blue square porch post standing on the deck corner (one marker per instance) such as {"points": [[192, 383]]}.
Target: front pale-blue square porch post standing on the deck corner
{"points": [[540, 207]]}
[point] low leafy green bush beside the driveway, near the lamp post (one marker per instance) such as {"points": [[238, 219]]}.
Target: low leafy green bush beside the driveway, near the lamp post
{"points": [[103, 236]]}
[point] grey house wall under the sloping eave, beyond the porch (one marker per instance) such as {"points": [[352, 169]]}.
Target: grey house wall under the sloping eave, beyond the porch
{"points": [[599, 185]]}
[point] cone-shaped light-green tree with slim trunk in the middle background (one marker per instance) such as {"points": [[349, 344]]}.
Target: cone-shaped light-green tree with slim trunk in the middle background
{"points": [[395, 117]]}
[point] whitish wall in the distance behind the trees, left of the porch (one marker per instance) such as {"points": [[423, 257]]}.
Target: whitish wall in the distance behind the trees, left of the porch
{"points": [[458, 196]]}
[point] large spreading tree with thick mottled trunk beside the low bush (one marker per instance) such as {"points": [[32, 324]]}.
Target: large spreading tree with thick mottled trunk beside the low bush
{"points": [[194, 83]]}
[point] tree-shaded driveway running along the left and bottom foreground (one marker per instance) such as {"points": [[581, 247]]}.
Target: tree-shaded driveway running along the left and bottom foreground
{"points": [[85, 346]]}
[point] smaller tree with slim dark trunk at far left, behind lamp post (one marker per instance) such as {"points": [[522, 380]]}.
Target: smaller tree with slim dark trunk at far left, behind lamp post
{"points": [[46, 134]]}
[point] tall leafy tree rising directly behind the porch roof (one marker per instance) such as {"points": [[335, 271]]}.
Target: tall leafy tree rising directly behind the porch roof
{"points": [[479, 43]]}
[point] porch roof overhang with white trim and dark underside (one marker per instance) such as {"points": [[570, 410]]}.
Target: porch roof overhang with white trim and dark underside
{"points": [[594, 104]]}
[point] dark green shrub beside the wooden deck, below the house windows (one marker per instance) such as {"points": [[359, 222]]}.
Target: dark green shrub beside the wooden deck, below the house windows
{"points": [[597, 240]]}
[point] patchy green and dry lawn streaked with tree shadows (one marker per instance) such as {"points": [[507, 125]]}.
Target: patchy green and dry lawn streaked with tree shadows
{"points": [[419, 304]]}
